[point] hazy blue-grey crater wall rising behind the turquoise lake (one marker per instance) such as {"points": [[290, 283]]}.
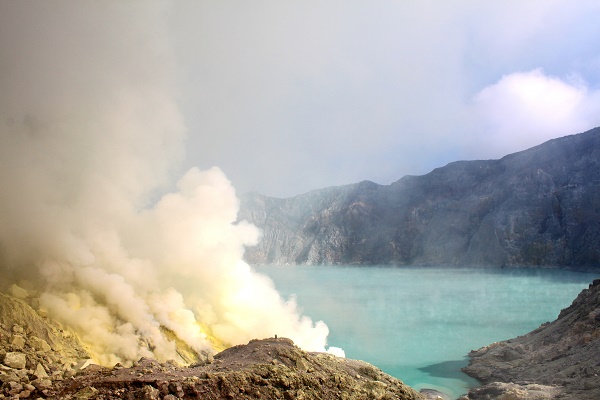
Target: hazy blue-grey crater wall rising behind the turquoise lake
{"points": [[538, 207]]}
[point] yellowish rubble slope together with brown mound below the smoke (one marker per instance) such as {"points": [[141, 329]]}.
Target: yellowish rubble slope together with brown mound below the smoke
{"points": [[39, 359]]}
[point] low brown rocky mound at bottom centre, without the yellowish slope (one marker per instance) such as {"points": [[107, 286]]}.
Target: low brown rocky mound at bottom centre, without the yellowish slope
{"points": [[262, 369]]}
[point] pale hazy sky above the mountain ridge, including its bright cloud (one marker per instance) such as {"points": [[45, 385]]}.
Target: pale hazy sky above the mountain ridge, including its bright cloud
{"points": [[290, 96]]}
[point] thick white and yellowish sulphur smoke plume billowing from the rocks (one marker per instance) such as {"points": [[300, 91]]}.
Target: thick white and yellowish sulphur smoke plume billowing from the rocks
{"points": [[89, 132]]}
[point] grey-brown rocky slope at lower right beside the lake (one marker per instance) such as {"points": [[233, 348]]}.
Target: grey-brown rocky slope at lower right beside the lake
{"points": [[560, 359]]}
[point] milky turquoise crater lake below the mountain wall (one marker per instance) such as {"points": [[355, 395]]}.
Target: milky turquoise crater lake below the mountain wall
{"points": [[418, 324]]}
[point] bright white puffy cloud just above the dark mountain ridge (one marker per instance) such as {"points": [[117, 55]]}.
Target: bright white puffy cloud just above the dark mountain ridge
{"points": [[524, 109]]}
